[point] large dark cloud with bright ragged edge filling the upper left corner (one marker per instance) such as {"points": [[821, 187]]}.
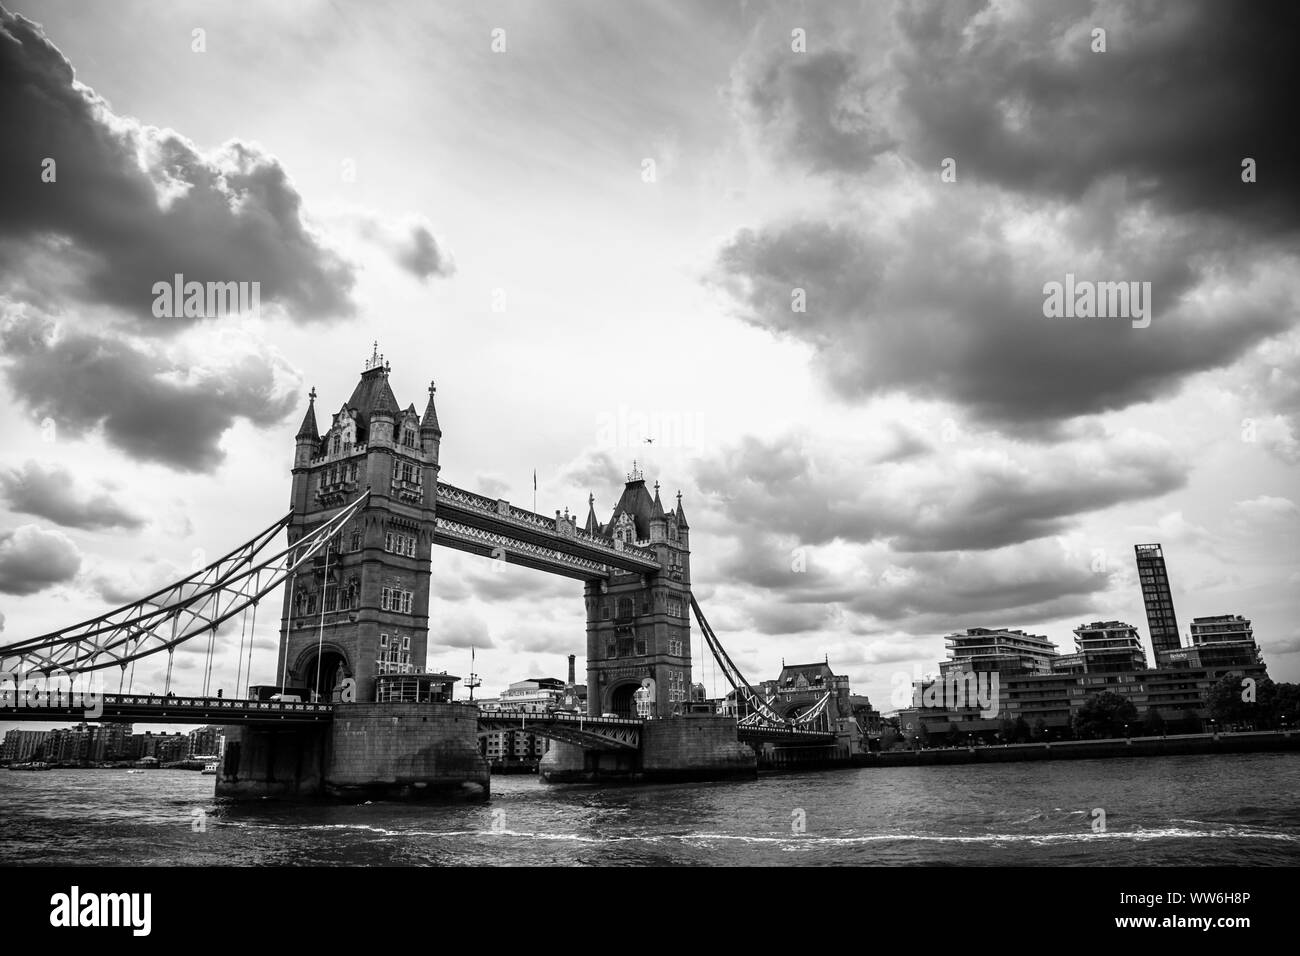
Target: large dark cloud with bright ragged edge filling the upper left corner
{"points": [[133, 205]]}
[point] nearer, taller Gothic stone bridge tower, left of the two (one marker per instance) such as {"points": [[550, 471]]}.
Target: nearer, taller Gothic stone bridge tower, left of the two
{"points": [[363, 608]]}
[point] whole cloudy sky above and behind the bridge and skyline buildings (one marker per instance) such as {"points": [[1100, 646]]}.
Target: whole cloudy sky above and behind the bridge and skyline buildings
{"points": [[726, 227]]}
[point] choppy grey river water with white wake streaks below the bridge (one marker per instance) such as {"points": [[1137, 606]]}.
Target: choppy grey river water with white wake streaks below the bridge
{"points": [[1193, 811]]}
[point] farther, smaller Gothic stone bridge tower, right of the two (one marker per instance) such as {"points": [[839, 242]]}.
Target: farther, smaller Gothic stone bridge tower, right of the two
{"points": [[638, 625]]}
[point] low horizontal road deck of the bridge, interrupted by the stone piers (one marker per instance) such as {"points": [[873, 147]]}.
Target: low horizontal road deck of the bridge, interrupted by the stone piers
{"points": [[592, 733]]}
